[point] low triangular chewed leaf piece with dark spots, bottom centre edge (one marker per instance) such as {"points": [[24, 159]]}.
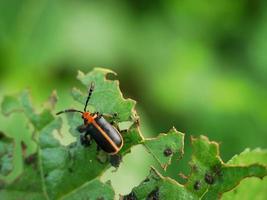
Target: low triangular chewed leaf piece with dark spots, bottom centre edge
{"points": [[155, 186]]}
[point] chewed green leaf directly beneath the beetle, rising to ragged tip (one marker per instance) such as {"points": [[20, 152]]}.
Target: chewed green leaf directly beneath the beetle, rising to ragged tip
{"points": [[67, 169]]}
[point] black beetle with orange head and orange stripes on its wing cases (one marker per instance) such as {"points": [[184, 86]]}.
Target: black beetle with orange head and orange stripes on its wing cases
{"points": [[95, 126]]}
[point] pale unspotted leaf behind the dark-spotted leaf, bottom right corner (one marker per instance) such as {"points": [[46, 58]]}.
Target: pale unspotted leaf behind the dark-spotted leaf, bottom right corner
{"points": [[251, 188]]}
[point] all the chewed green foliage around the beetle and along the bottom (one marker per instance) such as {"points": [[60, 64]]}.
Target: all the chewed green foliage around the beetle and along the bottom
{"points": [[49, 169]]}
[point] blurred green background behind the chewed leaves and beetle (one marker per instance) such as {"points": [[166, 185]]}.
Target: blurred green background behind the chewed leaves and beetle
{"points": [[200, 66]]}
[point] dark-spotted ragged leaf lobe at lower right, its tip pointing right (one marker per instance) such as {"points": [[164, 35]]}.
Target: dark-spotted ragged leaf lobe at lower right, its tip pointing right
{"points": [[214, 176]]}
